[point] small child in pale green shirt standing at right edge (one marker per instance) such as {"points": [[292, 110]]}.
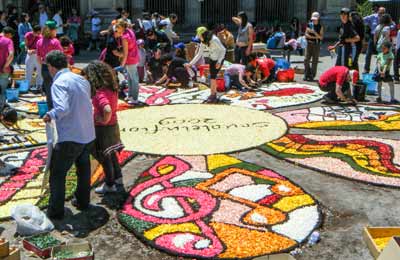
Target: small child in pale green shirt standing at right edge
{"points": [[384, 61]]}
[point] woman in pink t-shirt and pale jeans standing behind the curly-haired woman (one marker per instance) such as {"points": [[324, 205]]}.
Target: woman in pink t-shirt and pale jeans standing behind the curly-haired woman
{"points": [[130, 59]]}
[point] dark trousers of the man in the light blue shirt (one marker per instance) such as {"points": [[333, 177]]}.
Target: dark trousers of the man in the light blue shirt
{"points": [[64, 155]]}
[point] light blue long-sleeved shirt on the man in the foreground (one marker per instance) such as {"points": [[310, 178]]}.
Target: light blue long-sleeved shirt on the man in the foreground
{"points": [[72, 112]]}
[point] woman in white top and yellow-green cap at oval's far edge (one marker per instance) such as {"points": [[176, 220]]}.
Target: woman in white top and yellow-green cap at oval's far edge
{"points": [[212, 48]]}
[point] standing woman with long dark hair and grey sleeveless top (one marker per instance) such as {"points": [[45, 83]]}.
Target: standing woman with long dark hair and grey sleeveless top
{"points": [[244, 40]]}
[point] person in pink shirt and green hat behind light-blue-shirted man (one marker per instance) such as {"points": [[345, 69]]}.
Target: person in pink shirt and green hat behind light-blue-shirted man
{"points": [[46, 44]]}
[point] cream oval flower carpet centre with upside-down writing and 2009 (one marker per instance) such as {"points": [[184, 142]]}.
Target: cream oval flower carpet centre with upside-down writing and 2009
{"points": [[196, 129]]}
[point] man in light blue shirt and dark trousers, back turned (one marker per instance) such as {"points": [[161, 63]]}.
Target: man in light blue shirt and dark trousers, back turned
{"points": [[73, 114]]}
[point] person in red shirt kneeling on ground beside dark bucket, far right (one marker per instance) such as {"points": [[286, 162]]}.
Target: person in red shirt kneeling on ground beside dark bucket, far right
{"points": [[336, 81]]}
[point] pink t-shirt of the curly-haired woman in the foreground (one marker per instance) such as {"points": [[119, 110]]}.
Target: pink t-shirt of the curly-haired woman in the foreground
{"points": [[104, 97]]}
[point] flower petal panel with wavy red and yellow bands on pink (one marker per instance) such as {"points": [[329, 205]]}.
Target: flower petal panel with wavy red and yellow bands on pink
{"points": [[370, 160]]}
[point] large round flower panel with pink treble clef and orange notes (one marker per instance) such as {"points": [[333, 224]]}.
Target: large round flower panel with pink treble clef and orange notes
{"points": [[218, 207]]}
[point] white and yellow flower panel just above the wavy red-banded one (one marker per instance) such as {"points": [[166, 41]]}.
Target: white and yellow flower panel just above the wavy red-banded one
{"points": [[354, 118]]}
